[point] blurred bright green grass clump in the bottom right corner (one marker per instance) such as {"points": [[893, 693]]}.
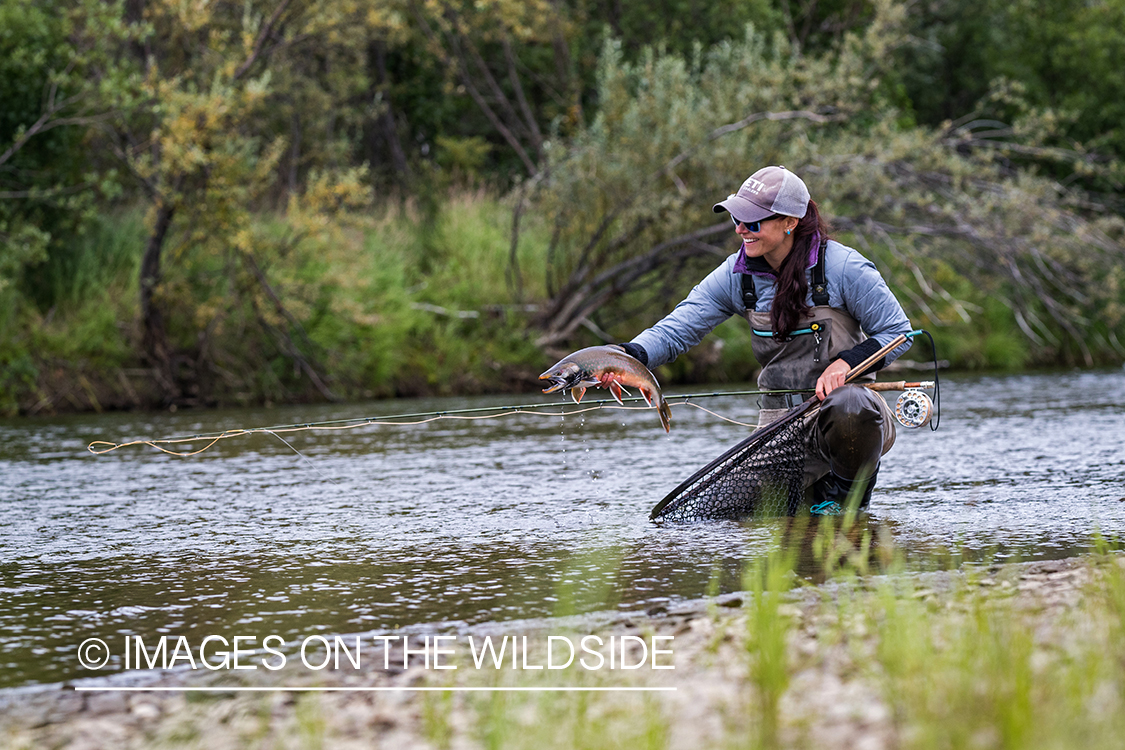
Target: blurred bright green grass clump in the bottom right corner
{"points": [[976, 674]]}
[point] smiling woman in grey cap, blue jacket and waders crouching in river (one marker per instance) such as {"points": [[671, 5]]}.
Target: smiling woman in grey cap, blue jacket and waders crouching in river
{"points": [[817, 309]]}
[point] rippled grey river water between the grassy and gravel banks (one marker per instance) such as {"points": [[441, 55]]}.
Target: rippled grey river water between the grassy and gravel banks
{"points": [[453, 522]]}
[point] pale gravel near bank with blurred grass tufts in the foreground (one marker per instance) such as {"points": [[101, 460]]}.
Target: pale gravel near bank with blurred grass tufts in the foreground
{"points": [[978, 657]]}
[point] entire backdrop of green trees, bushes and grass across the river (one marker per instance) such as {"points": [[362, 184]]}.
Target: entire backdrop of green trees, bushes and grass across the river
{"points": [[606, 118]]}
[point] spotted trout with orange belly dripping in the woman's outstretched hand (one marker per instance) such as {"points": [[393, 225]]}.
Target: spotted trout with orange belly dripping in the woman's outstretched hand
{"points": [[607, 367]]}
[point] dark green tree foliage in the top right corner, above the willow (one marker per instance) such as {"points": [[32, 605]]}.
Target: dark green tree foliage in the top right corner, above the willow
{"points": [[1058, 59]]}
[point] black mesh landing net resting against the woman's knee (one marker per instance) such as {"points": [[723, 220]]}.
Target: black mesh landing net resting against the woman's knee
{"points": [[762, 476]]}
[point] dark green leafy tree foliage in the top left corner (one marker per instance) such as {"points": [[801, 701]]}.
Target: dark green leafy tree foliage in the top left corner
{"points": [[56, 60]]}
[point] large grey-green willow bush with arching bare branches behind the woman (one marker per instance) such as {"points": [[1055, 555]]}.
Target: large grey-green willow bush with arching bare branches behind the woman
{"points": [[979, 248]]}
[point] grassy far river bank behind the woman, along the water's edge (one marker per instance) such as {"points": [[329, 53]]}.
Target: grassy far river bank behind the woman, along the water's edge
{"points": [[393, 303]]}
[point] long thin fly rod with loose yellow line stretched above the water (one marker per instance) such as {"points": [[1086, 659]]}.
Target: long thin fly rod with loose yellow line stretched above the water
{"points": [[101, 448]]}
